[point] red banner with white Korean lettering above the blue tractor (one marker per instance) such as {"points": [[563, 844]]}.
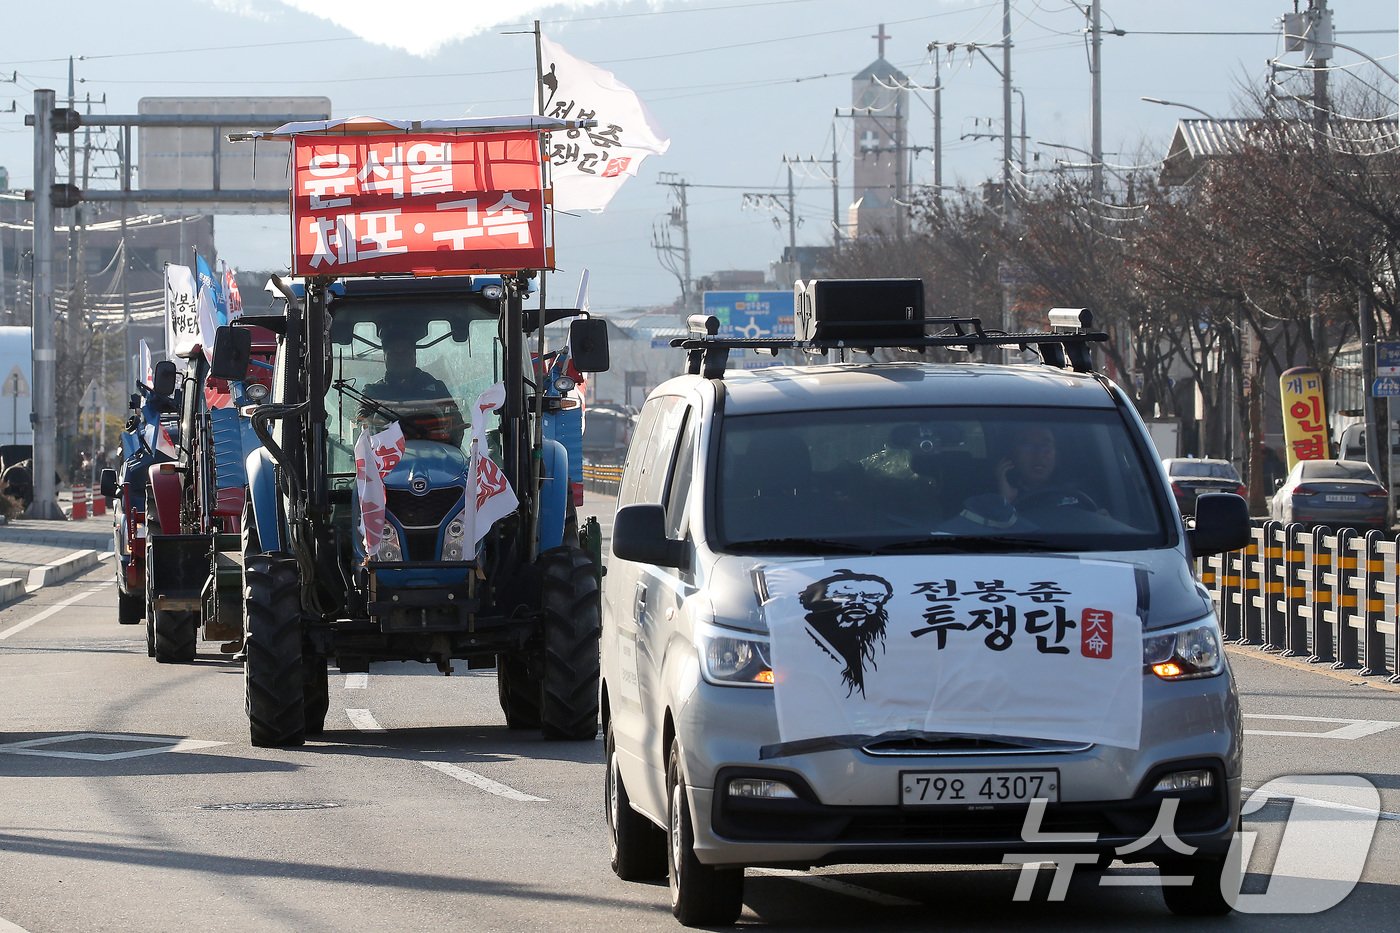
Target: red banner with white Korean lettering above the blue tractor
{"points": [[426, 204]]}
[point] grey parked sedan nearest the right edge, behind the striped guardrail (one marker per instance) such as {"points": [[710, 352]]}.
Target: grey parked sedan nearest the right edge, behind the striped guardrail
{"points": [[1339, 494]]}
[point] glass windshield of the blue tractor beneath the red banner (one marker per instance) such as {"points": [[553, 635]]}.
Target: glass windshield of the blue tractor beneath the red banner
{"points": [[419, 365]]}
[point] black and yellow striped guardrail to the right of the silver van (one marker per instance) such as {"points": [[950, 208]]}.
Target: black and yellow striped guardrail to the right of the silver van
{"points": [[1325, 596]]}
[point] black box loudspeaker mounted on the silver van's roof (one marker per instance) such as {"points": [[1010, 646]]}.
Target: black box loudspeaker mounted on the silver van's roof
{"points": [[888, 310]]}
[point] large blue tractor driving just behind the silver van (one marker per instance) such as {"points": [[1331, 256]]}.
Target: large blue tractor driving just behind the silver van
{"points": [[418, 572]]}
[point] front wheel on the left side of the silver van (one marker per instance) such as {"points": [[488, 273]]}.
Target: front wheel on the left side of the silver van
{"points": [[701, 894]]}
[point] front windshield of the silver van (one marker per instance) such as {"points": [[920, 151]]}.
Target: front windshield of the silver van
{"points": [[937, 478]]}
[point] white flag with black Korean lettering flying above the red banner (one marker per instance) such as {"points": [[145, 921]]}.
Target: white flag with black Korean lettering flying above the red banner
{"points": [[590, 166]]}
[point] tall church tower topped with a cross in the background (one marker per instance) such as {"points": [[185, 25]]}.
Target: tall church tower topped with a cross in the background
{"points": [[880, 104]]}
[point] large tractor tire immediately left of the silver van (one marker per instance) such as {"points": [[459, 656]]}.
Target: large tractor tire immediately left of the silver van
{"points": [[569, 691]]}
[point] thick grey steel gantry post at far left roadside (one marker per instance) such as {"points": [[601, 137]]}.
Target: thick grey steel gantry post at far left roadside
{"points": [[45, 495]]}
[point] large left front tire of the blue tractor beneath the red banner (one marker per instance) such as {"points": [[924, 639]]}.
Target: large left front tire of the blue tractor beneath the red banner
{"points": [[274, 673]]}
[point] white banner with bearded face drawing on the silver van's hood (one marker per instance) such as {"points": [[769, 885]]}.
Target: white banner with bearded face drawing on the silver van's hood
{"points": [[1037, 648]]}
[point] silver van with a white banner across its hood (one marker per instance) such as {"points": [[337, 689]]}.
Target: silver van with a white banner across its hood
{"points": [[911, 613]]}
